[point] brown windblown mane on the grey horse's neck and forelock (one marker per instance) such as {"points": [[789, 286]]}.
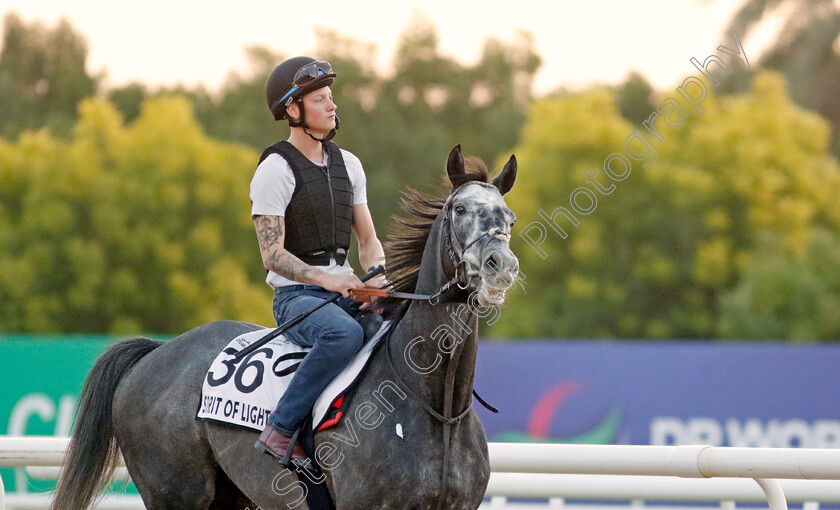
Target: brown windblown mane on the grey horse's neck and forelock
{"points": [[406, 242]]}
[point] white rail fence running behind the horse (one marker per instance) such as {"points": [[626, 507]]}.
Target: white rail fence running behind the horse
{"points": [[560, 472]]}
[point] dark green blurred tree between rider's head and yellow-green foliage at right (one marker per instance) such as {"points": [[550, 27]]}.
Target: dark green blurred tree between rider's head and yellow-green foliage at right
{"points": [[433, 102]]}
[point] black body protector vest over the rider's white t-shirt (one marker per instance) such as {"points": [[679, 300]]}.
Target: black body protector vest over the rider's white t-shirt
{"points": [[319, 216]]}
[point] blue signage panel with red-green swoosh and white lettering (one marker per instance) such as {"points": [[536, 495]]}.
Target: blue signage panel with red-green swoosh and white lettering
{"points": [[722, 394]]}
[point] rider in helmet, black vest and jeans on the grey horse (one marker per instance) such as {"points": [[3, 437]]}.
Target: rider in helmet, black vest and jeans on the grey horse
{"points": [[307, 195]]}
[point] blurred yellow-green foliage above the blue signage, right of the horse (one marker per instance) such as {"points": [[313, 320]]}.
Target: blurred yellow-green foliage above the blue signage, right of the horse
{"points": [[664, 252]]}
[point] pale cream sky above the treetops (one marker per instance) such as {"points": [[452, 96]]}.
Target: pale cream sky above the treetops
{"points": [[581, 42]]}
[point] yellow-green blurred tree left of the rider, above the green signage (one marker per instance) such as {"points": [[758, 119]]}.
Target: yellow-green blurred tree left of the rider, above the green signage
{"points": [[127, 228]]}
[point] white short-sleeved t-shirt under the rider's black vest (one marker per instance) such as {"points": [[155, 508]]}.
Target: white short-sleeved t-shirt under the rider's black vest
{"points": [[271, 192]]}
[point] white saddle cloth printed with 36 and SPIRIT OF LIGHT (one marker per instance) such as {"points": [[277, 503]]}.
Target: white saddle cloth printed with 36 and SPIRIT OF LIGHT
{"points": [[245, 393]]}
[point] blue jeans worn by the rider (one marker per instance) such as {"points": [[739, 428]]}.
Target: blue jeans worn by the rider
{"points": [[335, 338]]}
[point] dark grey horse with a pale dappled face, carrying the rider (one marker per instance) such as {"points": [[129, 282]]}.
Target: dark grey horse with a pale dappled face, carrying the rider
{"points": [[409, 439]]}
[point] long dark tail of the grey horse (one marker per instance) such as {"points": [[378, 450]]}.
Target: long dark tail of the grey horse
{"points": [[89, 461]]}
